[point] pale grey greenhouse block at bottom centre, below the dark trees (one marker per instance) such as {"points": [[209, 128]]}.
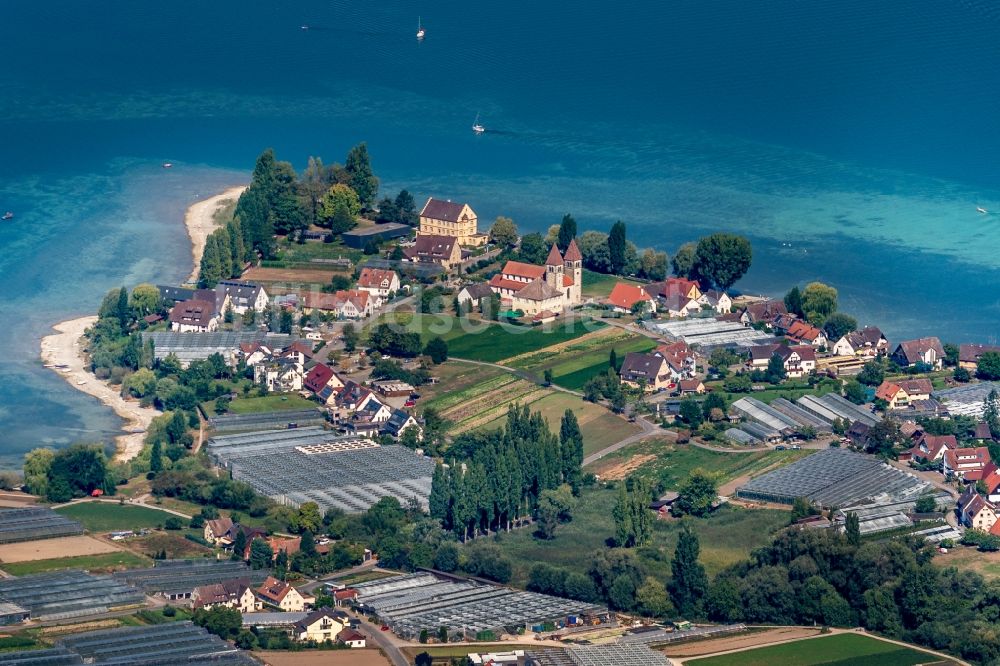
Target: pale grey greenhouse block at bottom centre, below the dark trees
{"points": [[424, 601]]}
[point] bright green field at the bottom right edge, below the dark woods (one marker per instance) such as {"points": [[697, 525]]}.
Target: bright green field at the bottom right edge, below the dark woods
{"points": [[838, 650]]}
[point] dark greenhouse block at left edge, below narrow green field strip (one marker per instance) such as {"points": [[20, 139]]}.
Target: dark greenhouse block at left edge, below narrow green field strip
{"points": [[61, 595]]}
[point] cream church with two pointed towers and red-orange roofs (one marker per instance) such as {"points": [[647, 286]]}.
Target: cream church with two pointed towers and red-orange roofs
{"points": [[539, 290]]}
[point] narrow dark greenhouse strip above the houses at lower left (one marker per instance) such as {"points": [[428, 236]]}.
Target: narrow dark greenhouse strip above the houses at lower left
{"points": [[182, 576]]}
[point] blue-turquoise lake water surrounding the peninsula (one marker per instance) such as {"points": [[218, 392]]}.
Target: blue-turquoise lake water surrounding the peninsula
{"points": [[852, 141]]}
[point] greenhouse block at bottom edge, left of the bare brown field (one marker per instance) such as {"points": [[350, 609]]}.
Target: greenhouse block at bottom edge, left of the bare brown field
{"points": [[171, 643]]}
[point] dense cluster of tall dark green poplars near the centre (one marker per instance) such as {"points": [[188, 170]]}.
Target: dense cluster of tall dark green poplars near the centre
{"points": [[507, 472]]}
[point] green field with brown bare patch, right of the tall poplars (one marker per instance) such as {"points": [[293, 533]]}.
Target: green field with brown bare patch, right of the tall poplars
{"points": [[661, 460]]}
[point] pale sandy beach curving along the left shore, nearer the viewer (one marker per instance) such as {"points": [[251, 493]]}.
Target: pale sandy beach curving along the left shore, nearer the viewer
{"points": [[64, 349]]}
